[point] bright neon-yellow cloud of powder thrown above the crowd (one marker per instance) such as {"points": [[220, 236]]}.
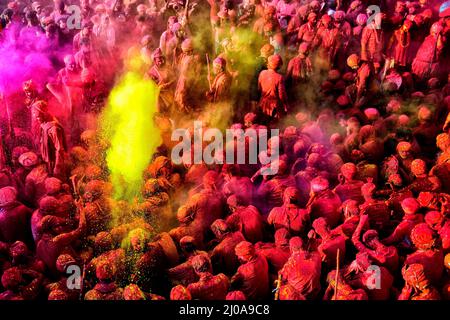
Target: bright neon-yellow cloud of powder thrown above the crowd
{"points": [[127, 123]]}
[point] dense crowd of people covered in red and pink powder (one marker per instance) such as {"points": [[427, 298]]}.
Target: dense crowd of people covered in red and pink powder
{"points": [[357, 210]]}
